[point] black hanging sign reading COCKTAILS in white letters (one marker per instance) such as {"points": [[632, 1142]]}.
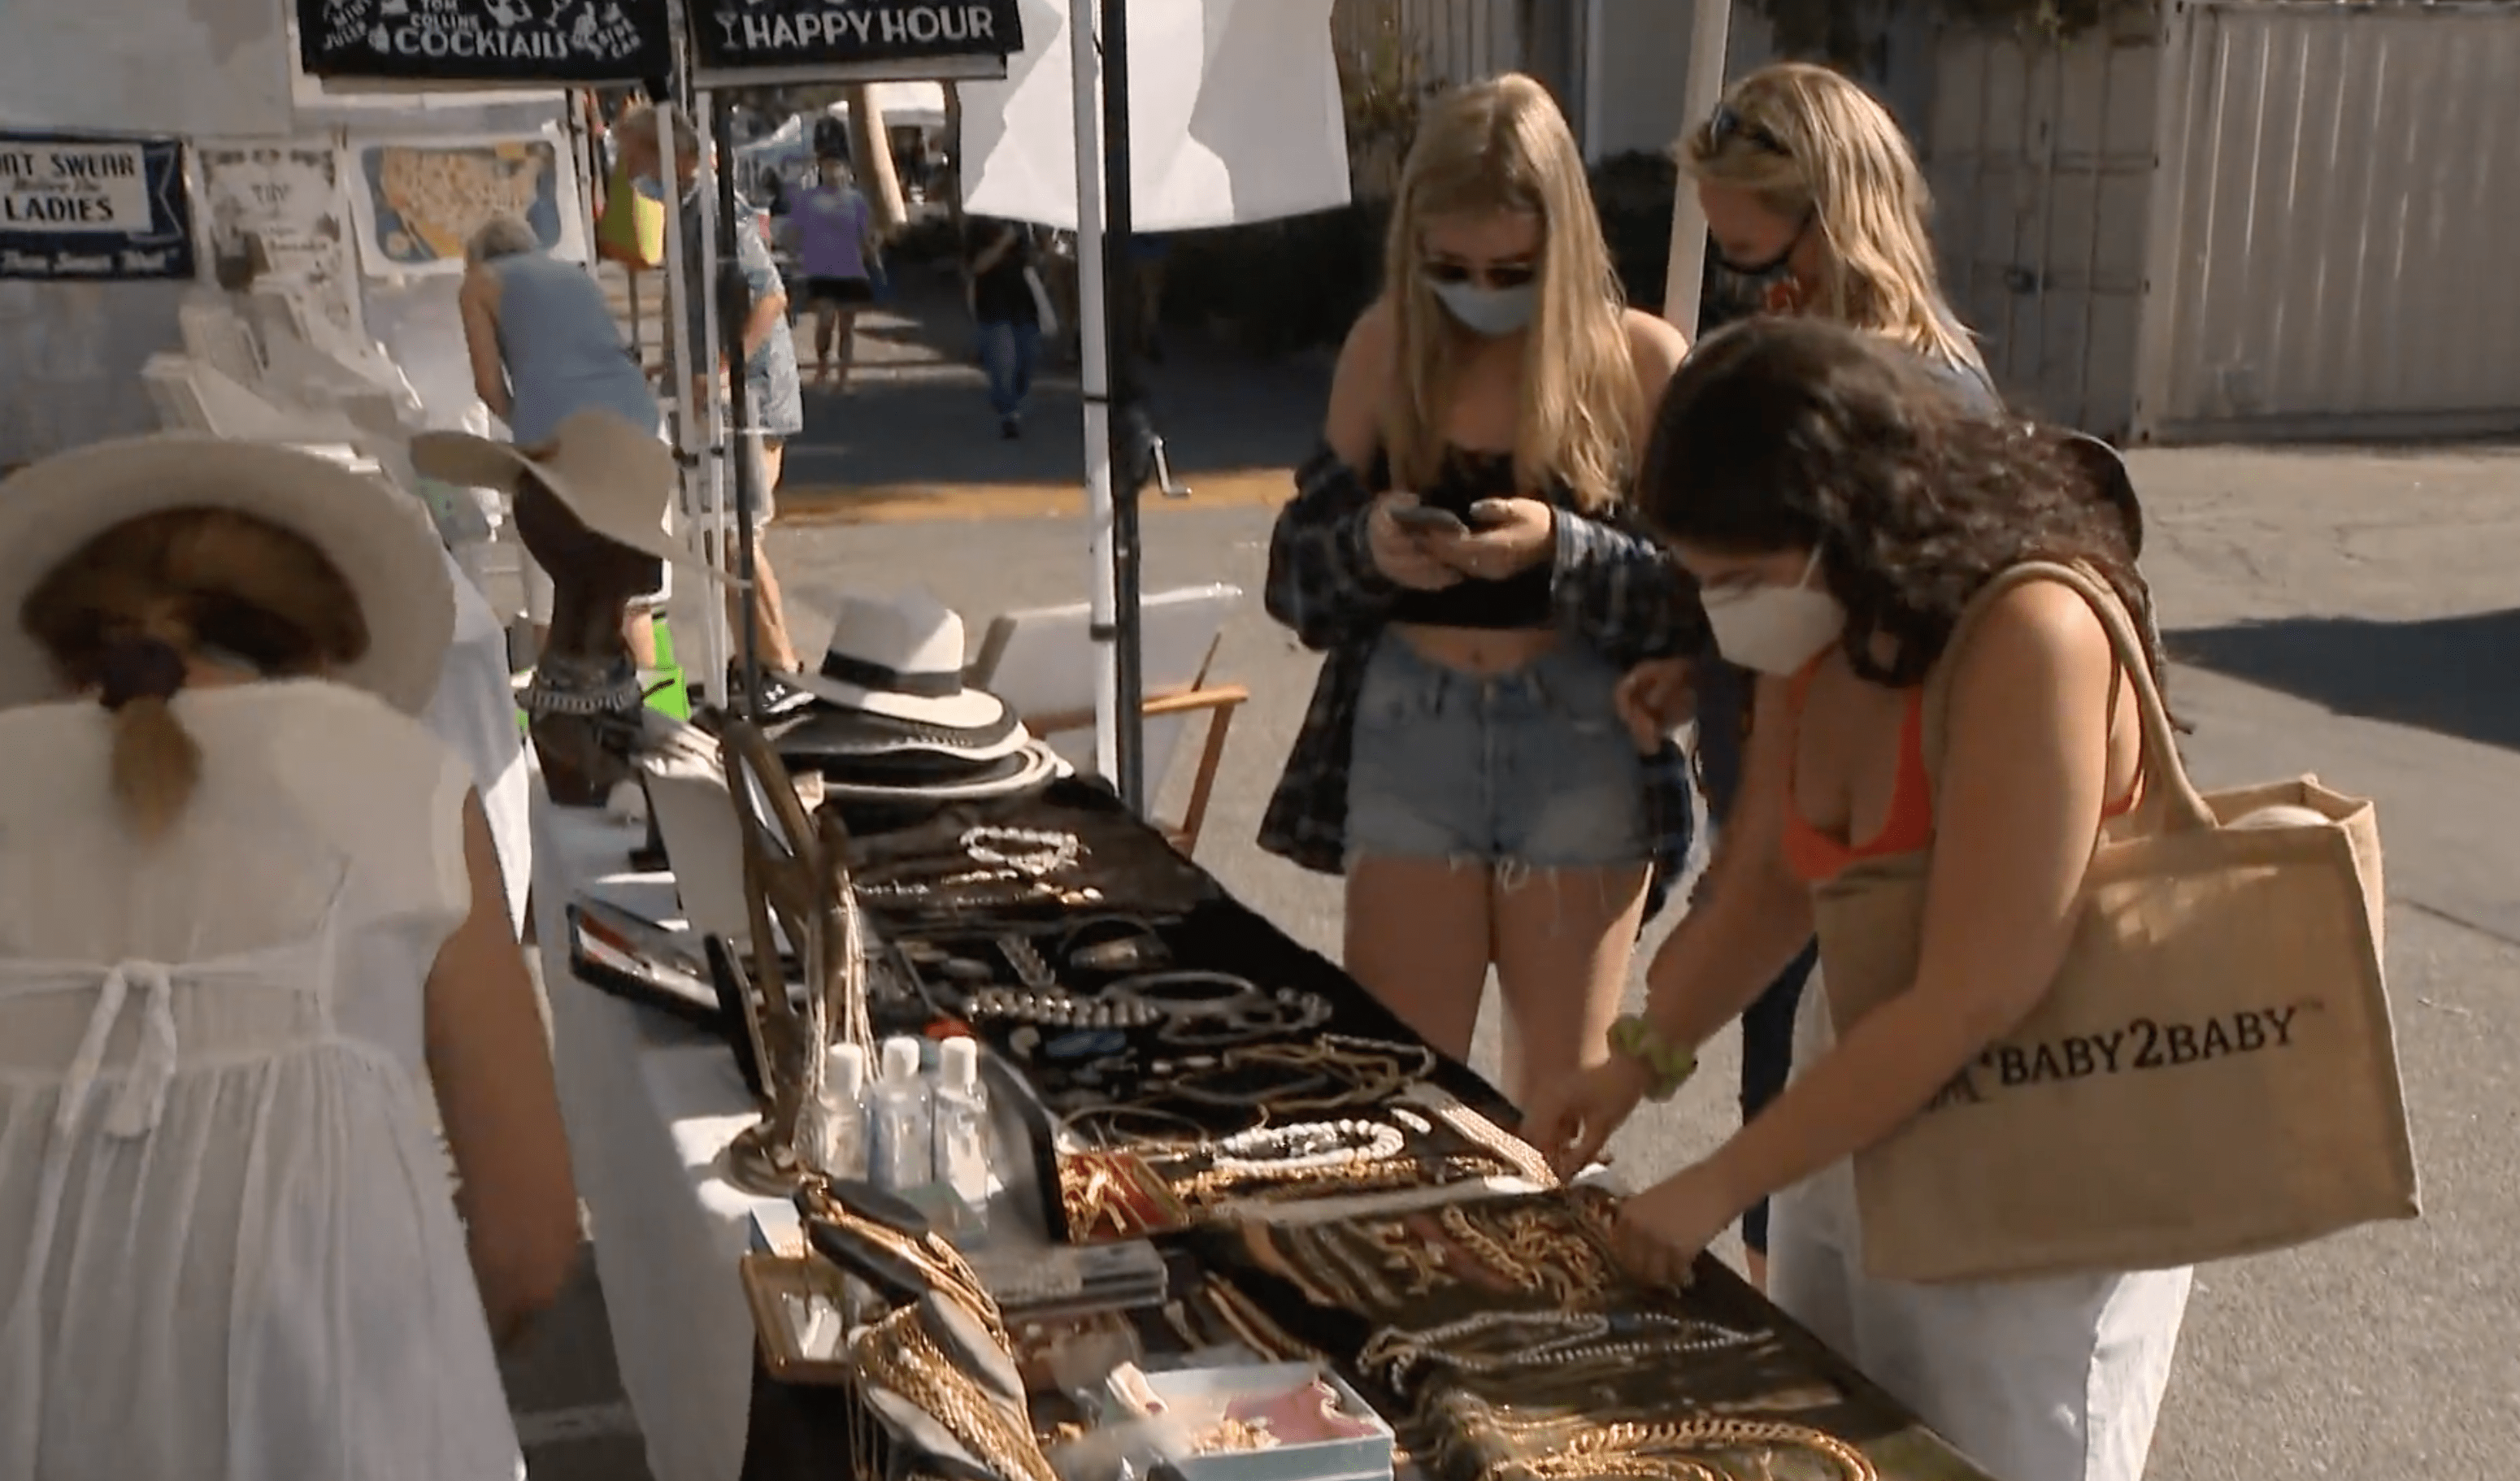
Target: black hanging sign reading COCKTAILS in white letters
{"points": [[485, 42]]}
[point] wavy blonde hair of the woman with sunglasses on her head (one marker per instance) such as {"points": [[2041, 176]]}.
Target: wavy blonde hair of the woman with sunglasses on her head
{"points": [[1816, 147]]}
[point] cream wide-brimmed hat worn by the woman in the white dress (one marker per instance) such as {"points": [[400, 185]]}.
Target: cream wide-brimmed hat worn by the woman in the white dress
{"points": [[377, 538]]}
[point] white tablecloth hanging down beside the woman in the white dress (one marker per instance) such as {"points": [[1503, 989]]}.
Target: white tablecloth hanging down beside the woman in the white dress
{"points": [[651, 1104]]}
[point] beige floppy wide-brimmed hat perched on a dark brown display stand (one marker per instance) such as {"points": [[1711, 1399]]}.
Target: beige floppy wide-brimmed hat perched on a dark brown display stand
{"points": [[619, 480]]}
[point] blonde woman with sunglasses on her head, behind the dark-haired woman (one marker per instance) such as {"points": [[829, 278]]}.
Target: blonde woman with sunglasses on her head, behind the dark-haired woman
{"points": [[1816, 198]]}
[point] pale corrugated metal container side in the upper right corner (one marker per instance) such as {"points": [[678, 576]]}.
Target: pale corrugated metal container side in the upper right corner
{"points": [[2347, 190]]}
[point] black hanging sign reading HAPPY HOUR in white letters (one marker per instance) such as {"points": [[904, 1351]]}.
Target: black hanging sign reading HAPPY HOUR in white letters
{"points": [[906, 39]]}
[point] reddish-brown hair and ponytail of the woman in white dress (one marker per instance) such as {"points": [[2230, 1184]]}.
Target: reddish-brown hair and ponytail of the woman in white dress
{"points": [[188, 578]]}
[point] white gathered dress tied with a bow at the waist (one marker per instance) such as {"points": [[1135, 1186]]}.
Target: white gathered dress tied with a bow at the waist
{"points": [[228, 1240]]}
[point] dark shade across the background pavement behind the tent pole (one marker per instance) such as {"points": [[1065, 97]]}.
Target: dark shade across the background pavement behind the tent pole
{"points": [[916, 422]]}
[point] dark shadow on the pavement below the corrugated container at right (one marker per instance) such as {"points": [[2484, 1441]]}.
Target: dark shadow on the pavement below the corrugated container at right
{"points": [[2448, 674]]}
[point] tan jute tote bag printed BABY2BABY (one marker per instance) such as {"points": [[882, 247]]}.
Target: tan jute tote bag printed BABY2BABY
{"points": [[2214, 1069]]}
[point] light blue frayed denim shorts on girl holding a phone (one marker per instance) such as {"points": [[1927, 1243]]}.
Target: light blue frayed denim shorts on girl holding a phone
{"points": [[1528, 767]]}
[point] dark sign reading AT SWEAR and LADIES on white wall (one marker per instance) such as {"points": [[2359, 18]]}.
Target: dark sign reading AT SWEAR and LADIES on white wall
{"points": [[84, 208]]}
